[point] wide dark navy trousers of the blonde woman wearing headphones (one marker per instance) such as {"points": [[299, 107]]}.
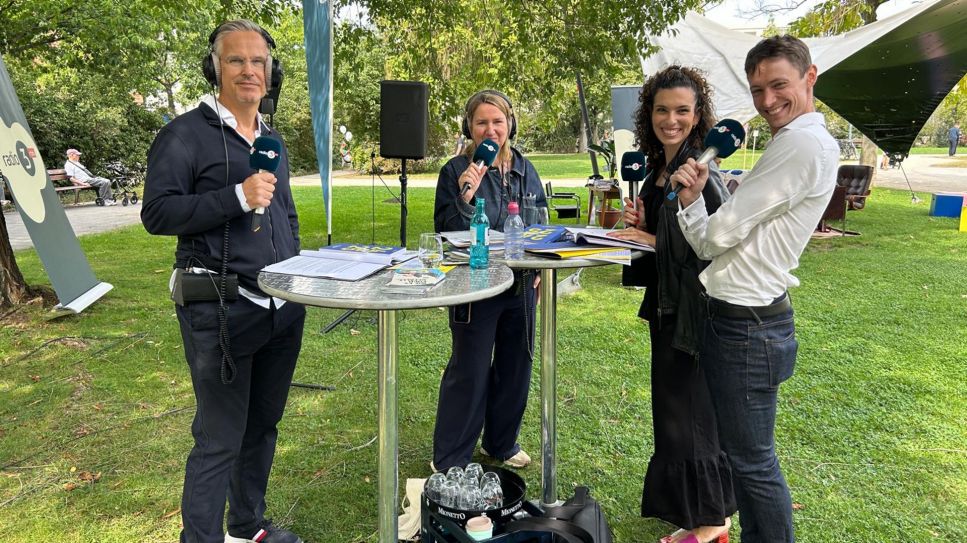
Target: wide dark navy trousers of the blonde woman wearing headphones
{"points": [[485, 385]]}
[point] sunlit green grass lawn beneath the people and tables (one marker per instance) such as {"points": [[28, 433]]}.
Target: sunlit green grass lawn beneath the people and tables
{"points": [[95, 409]]}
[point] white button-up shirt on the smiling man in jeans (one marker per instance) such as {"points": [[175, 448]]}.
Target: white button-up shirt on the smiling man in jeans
{"points": [[755, 238]]}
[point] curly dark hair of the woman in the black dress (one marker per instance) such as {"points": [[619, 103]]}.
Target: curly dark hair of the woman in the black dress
{"points": [[671, 78]]}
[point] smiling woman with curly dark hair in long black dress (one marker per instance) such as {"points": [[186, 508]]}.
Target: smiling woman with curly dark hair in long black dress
{"points": [[689, 482]]}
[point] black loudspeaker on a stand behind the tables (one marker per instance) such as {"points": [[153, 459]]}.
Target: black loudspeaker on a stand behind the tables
{"points": [[403, 121]]}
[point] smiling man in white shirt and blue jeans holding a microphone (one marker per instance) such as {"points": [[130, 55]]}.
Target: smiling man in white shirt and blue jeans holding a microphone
{"points": [[754, 241]]}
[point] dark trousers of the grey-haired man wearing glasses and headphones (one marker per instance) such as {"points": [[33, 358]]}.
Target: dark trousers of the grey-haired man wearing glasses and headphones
{"points": [[235, 425]]}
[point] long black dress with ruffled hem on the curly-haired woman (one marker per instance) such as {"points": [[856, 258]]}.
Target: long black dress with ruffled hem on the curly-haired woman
{"points": [[689, 481]]}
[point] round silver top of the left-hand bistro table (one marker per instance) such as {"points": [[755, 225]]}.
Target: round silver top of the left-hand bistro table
{"points": [[461, 285]]}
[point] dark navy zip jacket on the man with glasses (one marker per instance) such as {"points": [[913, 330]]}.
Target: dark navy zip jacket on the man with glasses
{"points": [[187, 194]]}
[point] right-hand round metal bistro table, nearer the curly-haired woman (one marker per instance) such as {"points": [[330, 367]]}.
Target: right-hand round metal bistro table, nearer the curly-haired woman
{"points": [[548, 269]]}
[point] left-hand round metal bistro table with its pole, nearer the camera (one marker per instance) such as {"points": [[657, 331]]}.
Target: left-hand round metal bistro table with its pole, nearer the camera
{"points": [[462, 285]]}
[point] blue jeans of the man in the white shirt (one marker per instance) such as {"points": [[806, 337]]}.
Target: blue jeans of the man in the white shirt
{"points": [[745, 360]]}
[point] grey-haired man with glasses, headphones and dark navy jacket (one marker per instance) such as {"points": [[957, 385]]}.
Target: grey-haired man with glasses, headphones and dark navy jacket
{"points": [[241, 345]]}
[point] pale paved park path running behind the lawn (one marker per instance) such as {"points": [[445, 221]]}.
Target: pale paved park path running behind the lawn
{"points": [[926, 173]]}
